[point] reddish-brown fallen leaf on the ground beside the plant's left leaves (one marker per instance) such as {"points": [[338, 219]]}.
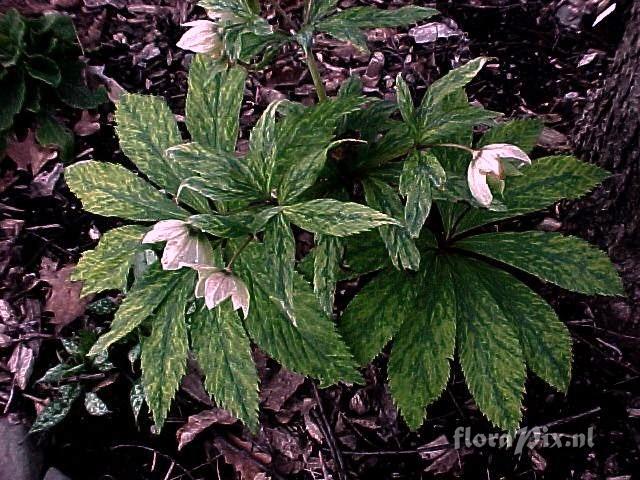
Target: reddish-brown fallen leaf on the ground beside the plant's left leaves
{"points": [[64, 299]]}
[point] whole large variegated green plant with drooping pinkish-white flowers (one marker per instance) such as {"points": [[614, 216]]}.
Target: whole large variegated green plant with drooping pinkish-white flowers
{"points": [[341, 169]]}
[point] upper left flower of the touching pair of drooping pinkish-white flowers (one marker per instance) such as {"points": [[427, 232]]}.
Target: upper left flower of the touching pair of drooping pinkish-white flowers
{"points": [[183, 248]]}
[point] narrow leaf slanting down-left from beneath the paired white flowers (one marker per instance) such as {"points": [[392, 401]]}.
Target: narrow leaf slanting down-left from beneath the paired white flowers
{"points": [[143, 299]]}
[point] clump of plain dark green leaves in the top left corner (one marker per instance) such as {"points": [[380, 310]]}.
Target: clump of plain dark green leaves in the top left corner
{"points": [[39, 71]]}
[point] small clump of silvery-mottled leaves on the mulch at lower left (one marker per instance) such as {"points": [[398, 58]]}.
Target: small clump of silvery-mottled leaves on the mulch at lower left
{"points": [[70, 379]]}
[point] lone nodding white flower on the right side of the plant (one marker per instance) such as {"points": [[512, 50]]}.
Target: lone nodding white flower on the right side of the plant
{"points": [[488, 161]]}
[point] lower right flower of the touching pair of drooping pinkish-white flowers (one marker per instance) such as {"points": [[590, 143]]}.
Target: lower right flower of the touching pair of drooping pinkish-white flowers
{"points": [[216, 285]]}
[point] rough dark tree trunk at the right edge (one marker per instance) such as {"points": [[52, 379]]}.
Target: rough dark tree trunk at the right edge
{"points": [[609, 135]]}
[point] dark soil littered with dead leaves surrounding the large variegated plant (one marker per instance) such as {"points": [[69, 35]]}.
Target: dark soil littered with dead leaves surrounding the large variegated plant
{"points": [[357, 432]]}
